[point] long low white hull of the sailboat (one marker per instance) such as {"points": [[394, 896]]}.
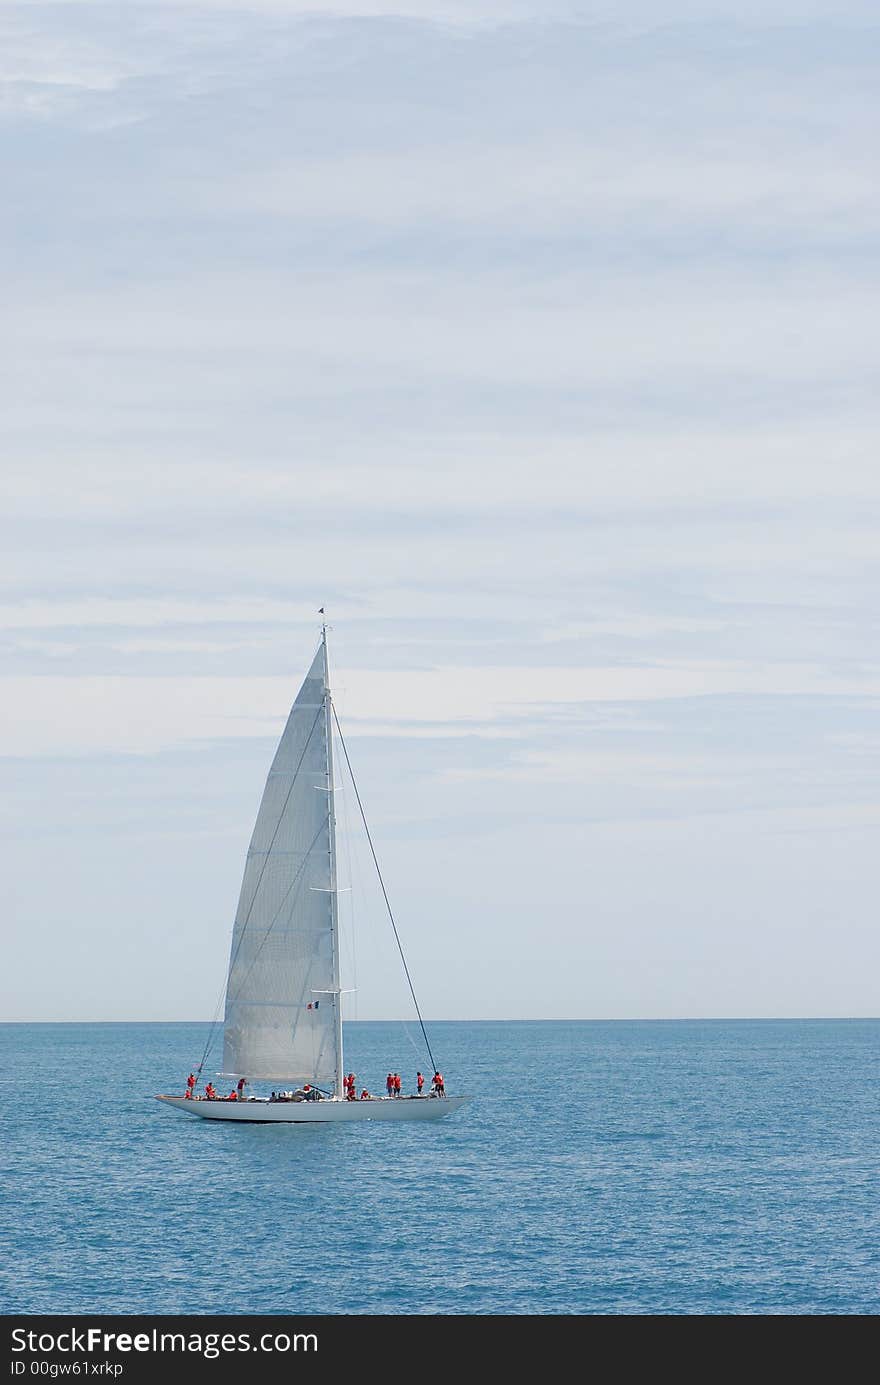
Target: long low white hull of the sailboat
{"points": [[310, 1113]]}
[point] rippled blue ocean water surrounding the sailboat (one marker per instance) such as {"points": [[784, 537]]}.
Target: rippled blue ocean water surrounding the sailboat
{"points": [[642, 1168]]}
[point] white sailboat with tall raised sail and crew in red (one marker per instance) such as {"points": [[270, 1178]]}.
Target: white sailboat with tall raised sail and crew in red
{"points": [[283, 1015]]}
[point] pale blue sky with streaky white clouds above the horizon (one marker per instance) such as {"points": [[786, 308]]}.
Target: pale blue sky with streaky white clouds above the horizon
{"points": [[538, 343]]}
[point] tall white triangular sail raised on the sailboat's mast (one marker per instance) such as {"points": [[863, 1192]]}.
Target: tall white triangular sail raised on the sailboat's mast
{"points": [[283, 990]]}
